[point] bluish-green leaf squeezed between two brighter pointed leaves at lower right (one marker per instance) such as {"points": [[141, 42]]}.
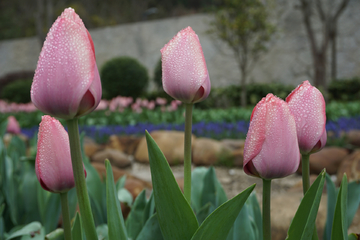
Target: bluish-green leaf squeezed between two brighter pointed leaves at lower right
{"points": [[331, 202]]}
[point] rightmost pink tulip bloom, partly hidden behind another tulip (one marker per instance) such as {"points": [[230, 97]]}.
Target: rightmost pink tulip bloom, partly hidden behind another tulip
{"points": [[307, 104]]}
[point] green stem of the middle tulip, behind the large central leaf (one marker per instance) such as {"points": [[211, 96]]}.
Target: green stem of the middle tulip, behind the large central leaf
{"points": [[187, 151]]}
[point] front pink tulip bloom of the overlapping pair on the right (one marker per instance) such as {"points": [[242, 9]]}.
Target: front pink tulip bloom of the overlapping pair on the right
{"points": [[271, 147]]}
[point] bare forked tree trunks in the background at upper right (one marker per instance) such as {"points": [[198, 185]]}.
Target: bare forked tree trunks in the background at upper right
{"points": [[327, 13]]}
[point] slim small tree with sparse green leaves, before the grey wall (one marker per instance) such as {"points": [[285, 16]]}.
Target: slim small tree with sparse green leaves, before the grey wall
{"points": [[245, 27]]}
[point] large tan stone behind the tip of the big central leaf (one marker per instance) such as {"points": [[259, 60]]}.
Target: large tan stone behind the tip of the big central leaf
{"points": [[171, 144]]}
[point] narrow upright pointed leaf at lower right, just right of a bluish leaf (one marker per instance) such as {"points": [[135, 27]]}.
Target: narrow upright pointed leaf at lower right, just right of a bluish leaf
{"points": [[339, 229]]}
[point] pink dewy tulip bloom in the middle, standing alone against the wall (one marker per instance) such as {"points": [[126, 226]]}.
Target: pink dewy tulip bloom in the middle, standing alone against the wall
{"points": [[184, 73]]}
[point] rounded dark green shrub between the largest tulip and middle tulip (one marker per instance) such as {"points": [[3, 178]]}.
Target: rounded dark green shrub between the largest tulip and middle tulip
{"points": [[123, 76]]}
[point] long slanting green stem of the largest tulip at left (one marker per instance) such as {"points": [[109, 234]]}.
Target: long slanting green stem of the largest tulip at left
{"points": [[80, 184]]}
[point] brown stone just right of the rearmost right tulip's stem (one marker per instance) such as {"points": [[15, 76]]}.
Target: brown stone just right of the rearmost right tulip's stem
{"points": [[329, 158]]}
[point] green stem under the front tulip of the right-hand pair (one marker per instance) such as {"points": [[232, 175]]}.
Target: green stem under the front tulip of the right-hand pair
{"points": [[266, 209]]}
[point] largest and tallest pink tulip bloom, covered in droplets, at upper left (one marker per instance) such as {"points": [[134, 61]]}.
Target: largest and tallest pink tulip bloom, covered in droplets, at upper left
{"points": [[67, 82]]}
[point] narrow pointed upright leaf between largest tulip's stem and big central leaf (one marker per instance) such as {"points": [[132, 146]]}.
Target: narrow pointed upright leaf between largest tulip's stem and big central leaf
{"points": [[115, 219]]}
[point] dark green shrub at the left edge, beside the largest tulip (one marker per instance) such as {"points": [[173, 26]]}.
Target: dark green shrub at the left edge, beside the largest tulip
{"points": [[17, 91]]}
